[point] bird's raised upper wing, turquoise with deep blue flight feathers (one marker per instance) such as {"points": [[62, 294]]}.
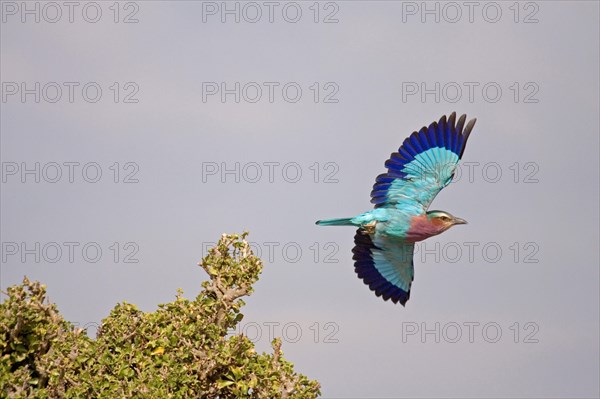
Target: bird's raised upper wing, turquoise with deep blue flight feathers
{"points": [[423, 165]]}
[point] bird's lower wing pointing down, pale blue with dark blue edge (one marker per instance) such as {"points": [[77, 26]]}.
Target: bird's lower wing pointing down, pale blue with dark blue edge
{"points": [[384, 264]]}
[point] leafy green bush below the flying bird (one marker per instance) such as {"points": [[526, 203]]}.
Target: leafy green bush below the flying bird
{"points": [[182, 350]]}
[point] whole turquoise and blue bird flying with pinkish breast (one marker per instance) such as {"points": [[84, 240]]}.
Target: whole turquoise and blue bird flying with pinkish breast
{"points": [[386, 235]]}
